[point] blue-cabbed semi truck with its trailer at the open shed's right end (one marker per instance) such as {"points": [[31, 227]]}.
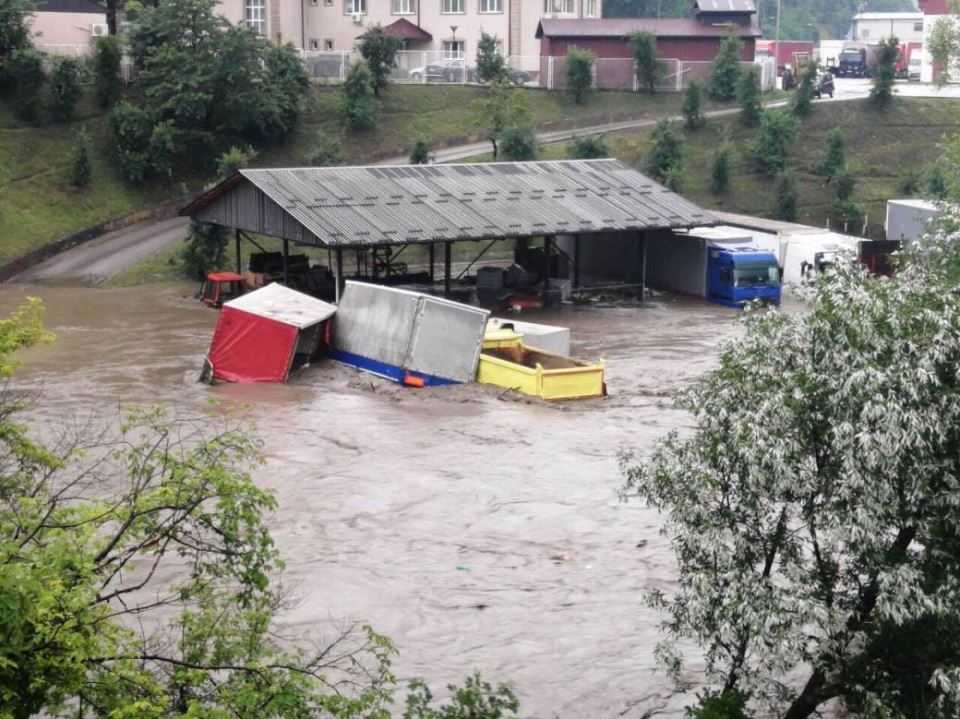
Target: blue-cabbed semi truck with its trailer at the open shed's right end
{"points": [[720, 265]]}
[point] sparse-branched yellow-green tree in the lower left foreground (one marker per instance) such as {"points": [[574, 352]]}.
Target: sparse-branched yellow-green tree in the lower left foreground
{"points": [[91, 533]]}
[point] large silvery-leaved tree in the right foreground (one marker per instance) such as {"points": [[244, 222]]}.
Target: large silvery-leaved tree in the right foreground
{"points": [[812, 505]]}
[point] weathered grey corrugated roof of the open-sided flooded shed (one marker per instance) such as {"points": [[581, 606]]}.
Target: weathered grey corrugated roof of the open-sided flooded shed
{"points": [[351, 206]]}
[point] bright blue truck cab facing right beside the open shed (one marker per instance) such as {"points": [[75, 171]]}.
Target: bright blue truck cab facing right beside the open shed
{"points": [[737, 275]]}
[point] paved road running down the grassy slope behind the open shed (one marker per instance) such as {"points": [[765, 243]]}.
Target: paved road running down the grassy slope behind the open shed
{"points": [[97, 261]]}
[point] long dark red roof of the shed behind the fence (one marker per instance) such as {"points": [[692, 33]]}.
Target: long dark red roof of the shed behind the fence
{"points": [[622, 27]]}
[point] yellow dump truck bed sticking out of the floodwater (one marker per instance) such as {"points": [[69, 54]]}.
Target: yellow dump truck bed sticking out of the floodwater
{"points": [[538, 373]]}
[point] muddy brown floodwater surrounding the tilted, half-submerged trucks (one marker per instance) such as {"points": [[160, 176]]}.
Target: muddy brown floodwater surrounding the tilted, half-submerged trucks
{"points": [[478, 530]]}
